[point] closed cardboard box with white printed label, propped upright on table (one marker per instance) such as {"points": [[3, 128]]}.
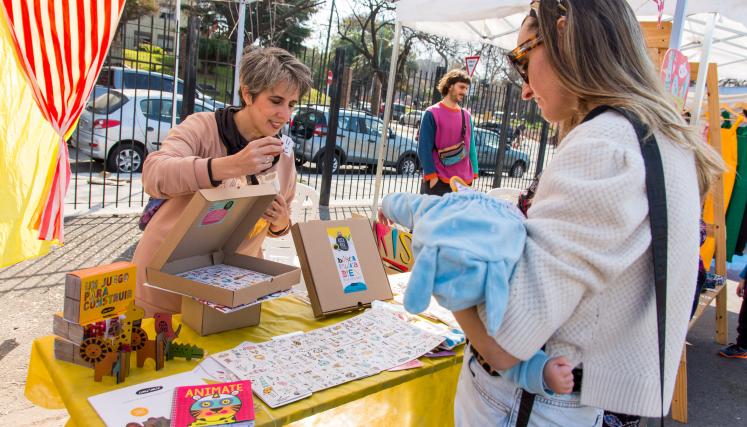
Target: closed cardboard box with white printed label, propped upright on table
{"points": [[340, 264]]}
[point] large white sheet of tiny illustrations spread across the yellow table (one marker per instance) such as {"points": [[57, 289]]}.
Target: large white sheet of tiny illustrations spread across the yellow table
{"points": [[290, 368]]}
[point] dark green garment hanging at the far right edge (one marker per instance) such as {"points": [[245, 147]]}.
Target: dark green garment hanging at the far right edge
{"points": [[735, 213]]}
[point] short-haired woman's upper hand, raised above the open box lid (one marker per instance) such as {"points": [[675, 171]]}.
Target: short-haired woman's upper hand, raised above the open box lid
{"points": [[254, 158]]}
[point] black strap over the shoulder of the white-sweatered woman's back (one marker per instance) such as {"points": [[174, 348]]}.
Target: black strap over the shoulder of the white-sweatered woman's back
{"points": [[657, 207]]}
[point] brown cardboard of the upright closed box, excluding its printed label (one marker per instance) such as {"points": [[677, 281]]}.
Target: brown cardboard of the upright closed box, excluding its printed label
{"points": [[320, 267]]}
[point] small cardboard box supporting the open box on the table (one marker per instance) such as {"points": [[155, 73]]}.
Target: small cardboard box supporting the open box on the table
{"points": [[206, 320]]}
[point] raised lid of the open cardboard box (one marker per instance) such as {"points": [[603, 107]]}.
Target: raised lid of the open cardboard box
{"points": [[215, 220]]}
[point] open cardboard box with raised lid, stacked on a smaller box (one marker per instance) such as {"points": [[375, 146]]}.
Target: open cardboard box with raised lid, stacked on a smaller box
{"points": [[210, 230]]}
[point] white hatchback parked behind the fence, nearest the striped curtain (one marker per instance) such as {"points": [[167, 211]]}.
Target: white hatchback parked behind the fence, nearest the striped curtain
{"points": [[121, 127]]}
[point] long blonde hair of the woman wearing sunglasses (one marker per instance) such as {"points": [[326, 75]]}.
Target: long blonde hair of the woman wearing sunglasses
{"points": [[600, 56]]}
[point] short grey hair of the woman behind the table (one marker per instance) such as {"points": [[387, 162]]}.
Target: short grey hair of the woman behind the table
{"points": [[262, 68]]}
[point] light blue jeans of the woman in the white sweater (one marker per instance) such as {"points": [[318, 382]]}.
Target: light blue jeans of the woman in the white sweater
{"points": [[483, 400]]}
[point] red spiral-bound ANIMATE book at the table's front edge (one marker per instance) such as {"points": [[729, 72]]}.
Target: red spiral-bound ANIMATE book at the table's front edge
{"points": [[227, 403]]}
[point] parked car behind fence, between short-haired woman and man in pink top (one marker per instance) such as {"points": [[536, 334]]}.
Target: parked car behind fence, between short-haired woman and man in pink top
{"points": [[358, 135]]}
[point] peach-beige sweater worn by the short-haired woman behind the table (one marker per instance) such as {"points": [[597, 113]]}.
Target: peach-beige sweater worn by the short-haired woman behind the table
{"points": [[176, 172]]}
